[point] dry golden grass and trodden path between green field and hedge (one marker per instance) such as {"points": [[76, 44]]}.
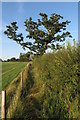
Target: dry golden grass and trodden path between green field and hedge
{"points": [[25, 102]]}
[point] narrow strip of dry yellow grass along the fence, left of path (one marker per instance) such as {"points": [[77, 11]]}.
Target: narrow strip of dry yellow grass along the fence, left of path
{"points": [[13, 93]]}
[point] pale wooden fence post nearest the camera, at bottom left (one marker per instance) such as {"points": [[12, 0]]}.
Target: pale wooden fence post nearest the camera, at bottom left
{"points": [[4, 105]]}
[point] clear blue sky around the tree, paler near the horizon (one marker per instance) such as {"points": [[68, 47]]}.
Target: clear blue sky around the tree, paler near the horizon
{"points": [[19, 11]]}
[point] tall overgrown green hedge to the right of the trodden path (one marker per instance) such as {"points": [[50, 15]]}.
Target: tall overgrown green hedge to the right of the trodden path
{"points": [[60, 74]]}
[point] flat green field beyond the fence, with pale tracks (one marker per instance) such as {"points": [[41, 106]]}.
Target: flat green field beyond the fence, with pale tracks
{"points": [[10, 70]]}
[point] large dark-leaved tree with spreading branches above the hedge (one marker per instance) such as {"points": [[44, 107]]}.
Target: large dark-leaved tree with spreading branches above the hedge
{"points": [[44, 32]]}
